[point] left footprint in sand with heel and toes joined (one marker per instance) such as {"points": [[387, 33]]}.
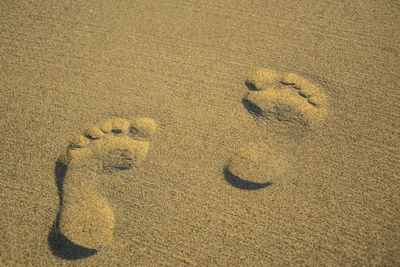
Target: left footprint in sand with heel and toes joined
{"points": [[86, 217]]}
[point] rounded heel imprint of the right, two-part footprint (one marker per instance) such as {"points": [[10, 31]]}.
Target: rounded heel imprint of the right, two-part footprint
{"points": [[257, 163]]}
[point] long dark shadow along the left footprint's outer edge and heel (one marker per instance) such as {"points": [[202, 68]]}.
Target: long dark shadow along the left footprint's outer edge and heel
{"points": [[58, 243]]}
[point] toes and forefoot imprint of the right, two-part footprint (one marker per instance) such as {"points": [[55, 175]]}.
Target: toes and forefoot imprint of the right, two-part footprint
{"points": [[286, 97]]}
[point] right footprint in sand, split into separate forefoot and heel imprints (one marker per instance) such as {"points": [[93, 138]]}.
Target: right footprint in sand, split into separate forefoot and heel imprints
{"points": [[285, 97]]}
